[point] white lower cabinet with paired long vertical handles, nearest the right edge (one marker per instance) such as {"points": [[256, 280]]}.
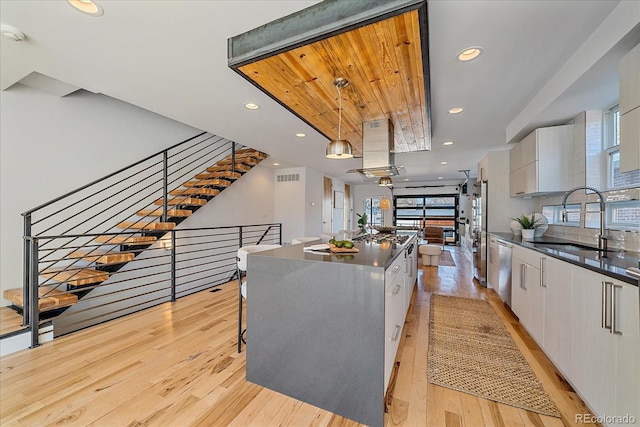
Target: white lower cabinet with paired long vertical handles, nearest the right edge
{"points": [[606, 343]]}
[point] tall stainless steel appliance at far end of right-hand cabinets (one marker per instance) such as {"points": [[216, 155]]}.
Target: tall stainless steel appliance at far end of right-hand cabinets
{"points": [[479, 215]]}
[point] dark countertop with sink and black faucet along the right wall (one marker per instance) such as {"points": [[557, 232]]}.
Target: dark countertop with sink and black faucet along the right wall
{"points": [[614, 265]]}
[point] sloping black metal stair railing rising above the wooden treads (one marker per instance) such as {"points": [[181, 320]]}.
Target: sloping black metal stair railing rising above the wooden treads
{"points": [[51, 232]]}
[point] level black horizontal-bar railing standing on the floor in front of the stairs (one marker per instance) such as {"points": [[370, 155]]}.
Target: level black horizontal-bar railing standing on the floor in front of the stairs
{"points": [[181, 262]]}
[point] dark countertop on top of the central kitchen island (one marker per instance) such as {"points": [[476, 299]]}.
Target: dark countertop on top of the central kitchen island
{"points": [[370, 254]]}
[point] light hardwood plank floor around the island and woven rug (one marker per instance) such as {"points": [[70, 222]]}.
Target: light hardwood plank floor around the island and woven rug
{"points": [[176, 365]]}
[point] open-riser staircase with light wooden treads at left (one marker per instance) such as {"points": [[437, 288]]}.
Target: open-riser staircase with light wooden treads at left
{"points": [[82, 264]]}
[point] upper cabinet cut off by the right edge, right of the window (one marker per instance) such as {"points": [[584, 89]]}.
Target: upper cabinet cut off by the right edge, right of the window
{"points": [[630, 111]]}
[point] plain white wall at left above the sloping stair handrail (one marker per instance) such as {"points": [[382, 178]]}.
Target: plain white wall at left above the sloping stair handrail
{"points": [[51, 145]]}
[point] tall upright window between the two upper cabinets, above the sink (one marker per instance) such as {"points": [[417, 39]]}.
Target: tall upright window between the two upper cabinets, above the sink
{"points": [[614, 179]]}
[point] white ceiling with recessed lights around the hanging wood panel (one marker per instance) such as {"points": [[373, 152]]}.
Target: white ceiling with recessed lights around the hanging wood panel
{"points": [[543, 63]]}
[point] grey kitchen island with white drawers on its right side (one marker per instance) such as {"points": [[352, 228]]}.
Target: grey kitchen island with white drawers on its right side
{"points": [[325, 328]]}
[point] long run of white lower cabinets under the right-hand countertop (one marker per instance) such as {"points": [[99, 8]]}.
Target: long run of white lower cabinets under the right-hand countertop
{"points": [[587, 324]]}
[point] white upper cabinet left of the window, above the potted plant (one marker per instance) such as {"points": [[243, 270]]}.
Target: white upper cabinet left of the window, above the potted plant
{"points": [[542, 162]]}
